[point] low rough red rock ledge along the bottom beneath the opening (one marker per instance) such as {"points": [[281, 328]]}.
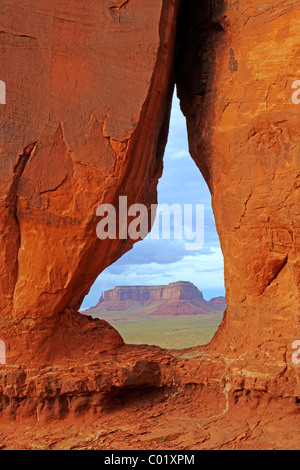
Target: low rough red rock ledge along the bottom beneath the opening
{"points": [[145, 398]]}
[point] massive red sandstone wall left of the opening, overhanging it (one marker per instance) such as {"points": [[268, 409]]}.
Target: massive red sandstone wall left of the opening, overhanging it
{"points": [[89, 87]]}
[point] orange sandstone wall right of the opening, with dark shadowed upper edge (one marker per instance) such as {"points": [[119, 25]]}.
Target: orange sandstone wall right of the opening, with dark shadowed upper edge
{"points": [[236, 65]]}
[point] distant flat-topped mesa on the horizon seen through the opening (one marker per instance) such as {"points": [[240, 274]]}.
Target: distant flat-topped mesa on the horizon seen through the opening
{"points": [[176, 299]]}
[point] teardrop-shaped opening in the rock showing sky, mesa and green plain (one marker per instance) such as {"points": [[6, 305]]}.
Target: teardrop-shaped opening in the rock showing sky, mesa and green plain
{"points": [[168, 290]]}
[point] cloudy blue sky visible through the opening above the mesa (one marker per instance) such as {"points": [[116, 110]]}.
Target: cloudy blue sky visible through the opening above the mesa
{"points": [[156, 262]]}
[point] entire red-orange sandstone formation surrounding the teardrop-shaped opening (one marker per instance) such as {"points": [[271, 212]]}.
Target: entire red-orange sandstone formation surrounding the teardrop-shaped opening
{"points": [[89, 88]]}
